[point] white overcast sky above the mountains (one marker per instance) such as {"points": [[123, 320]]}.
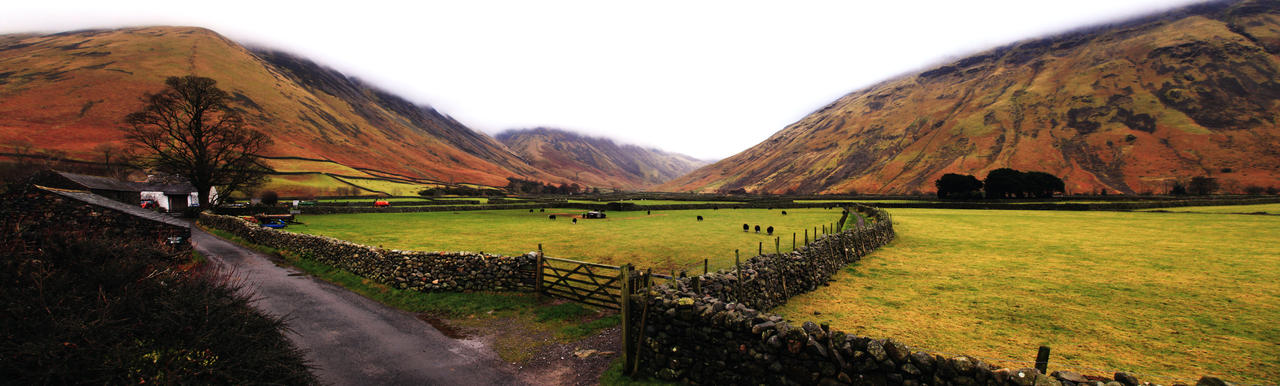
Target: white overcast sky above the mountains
{"points": [[705, 79]]}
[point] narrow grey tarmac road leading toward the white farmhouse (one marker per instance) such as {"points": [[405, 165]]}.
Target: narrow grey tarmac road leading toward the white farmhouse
{"points": [[351, 339]]}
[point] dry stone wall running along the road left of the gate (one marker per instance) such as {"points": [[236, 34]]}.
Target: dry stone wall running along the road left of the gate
{"points": [[422, 272]]}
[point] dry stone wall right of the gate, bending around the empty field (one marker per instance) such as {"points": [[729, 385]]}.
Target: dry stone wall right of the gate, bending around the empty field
{"points": [[711, 330]]}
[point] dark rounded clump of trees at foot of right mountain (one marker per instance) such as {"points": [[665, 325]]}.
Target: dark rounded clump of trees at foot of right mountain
{"points": [[1000, 183]]}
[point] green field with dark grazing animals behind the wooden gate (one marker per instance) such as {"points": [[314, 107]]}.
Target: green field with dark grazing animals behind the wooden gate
{"points": [[664, 241]]}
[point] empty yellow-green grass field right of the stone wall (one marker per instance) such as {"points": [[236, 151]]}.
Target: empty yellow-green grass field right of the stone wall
{"points": [[1158, 295]]}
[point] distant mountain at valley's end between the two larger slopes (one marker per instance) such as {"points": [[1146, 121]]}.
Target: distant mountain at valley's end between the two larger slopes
{"points": [[597, 162]]}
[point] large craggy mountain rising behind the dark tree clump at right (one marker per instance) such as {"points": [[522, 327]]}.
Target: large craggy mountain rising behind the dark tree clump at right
{"points": [[1126, 108]]}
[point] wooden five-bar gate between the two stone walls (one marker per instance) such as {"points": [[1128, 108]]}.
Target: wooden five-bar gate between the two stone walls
{"points": [[586, 283]]}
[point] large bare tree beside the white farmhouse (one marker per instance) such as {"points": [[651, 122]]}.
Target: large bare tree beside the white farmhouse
{"points": [[189, 130]]}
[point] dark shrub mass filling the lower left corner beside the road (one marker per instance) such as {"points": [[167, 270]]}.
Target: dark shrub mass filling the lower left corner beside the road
{"points": [[100, 313]]}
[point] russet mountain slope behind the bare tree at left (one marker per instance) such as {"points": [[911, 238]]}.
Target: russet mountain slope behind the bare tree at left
{"points": [[71, 91]]}
